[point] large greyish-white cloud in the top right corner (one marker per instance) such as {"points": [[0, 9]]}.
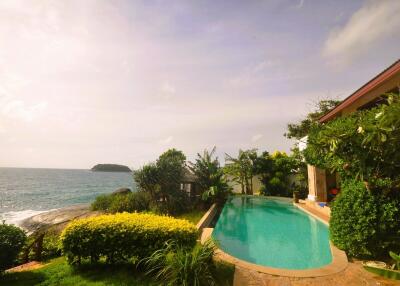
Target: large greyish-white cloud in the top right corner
{"points": [[372, 23]]}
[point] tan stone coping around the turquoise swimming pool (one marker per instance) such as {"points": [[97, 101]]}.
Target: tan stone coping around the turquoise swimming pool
{"points": [[338, 264]]}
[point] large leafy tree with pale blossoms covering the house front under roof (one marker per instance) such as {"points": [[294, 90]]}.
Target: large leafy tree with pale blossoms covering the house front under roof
{"points": [[363, 144]]}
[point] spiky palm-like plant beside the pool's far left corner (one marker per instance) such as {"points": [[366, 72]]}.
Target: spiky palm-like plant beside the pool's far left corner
{"points": [[210, 177]]}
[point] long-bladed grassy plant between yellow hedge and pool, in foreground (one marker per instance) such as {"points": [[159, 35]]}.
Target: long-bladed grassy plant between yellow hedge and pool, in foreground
{"points": [[177, 265]]}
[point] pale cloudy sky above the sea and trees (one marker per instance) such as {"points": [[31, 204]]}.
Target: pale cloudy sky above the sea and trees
{"points": [[87, 82]]}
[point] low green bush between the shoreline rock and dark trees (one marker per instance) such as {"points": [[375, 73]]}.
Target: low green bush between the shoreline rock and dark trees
{"points": [[131, 202]]}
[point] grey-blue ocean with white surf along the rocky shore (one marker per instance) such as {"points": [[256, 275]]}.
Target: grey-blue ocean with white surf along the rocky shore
{"points": [[25, 192]]}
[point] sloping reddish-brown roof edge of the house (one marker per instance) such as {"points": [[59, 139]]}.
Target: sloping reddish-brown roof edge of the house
{"points": [[373, 83]]}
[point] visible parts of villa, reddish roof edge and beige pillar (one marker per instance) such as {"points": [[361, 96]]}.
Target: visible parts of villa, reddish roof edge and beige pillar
{"points": [[367, 96]]}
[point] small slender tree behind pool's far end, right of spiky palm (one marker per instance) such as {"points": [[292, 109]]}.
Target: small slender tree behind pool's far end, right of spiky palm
{"points": [[242, 169]]}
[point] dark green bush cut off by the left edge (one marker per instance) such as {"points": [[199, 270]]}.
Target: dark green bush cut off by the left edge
{"points": [[12, 239]]}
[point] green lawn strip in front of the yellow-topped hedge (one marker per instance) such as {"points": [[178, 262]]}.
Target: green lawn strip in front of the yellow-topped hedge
{"points": [[58, 272]]}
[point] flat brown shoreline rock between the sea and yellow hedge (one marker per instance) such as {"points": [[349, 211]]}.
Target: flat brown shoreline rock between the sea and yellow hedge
{"points": [[57, 219]]}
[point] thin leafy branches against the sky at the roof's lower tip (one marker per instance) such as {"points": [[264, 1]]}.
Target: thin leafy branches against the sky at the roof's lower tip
{"points": [[302, 128]]}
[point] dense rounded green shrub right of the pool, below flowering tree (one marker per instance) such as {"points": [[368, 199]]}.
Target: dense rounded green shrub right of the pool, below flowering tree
{"points": [[365, 223]]}
